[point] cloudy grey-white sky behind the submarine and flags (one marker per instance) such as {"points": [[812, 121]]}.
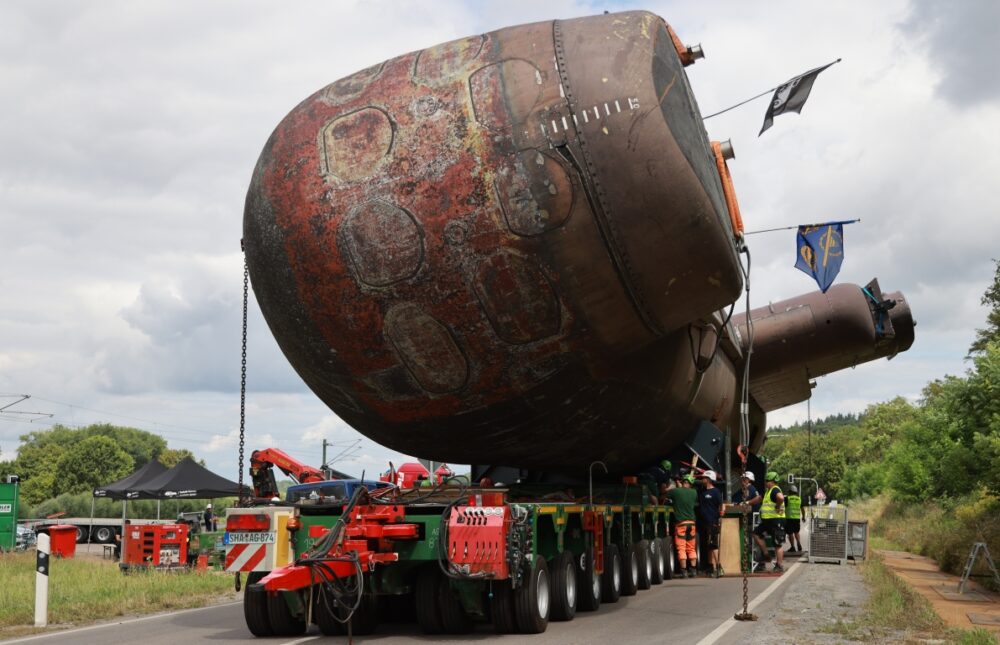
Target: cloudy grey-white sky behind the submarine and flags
{"points": [[129, 132]]}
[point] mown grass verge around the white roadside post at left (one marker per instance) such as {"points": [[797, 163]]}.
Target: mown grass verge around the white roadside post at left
{"points": [[83, 591]]}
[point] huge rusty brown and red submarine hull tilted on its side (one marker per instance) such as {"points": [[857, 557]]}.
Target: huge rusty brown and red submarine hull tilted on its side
{"points": [[520, 248]]}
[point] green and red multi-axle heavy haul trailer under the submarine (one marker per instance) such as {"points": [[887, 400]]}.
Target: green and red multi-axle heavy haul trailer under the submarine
{"points": [[448, 558]]}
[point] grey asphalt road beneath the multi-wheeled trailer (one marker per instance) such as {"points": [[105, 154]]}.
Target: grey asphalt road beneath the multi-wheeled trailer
{"points": [[678, 611]]}
